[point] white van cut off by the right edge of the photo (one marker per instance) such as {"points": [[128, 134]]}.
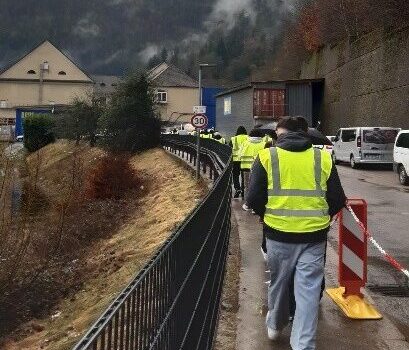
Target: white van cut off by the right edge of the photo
{"points": [[401, 157]]}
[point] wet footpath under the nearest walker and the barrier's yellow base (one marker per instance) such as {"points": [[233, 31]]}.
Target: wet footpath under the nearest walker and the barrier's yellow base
{"points": [[335, 331]]}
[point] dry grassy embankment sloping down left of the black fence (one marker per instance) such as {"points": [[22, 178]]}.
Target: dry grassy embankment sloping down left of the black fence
{"points": [[98, 254]]}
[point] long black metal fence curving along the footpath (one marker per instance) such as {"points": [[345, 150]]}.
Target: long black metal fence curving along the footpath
{"points": [[173, 303]]}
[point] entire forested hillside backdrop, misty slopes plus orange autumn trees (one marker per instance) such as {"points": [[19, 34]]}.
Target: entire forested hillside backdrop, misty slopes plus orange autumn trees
{"points": [[248, 39]]}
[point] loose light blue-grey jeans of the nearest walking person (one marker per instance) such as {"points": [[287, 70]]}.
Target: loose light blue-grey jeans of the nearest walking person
{"points": [[306, 263]]}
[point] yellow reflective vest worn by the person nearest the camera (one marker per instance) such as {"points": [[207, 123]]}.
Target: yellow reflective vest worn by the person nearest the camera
{"points": [[297, 185]]}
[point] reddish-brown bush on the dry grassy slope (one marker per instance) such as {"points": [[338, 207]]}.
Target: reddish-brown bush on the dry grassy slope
{"points": [[112, 178]]}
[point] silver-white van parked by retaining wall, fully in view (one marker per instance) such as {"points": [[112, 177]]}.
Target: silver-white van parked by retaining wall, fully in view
{"points": [[364, 145]]}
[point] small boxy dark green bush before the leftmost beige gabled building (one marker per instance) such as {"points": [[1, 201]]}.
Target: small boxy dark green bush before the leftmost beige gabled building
{"points": [[38, 131]]}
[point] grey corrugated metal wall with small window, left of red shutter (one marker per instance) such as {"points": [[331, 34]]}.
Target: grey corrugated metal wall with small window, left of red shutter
{"points": [[241, 112]]}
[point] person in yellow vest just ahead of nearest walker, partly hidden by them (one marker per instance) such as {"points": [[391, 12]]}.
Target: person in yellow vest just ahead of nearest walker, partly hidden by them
{"points": [[247, 156]]}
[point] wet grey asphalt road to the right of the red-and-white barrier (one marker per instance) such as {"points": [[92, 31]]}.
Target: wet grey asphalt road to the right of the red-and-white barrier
{"points": [[388, 219]]}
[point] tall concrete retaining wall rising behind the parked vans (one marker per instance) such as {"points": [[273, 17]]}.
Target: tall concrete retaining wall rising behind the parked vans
{"points": [[366, 80]]}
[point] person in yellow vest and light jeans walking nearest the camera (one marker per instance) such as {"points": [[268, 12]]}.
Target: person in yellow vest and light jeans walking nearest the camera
{"points": [[297, 191]]}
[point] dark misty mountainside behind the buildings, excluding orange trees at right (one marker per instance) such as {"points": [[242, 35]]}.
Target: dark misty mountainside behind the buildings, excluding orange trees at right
{"points": [[113, 36]]}
